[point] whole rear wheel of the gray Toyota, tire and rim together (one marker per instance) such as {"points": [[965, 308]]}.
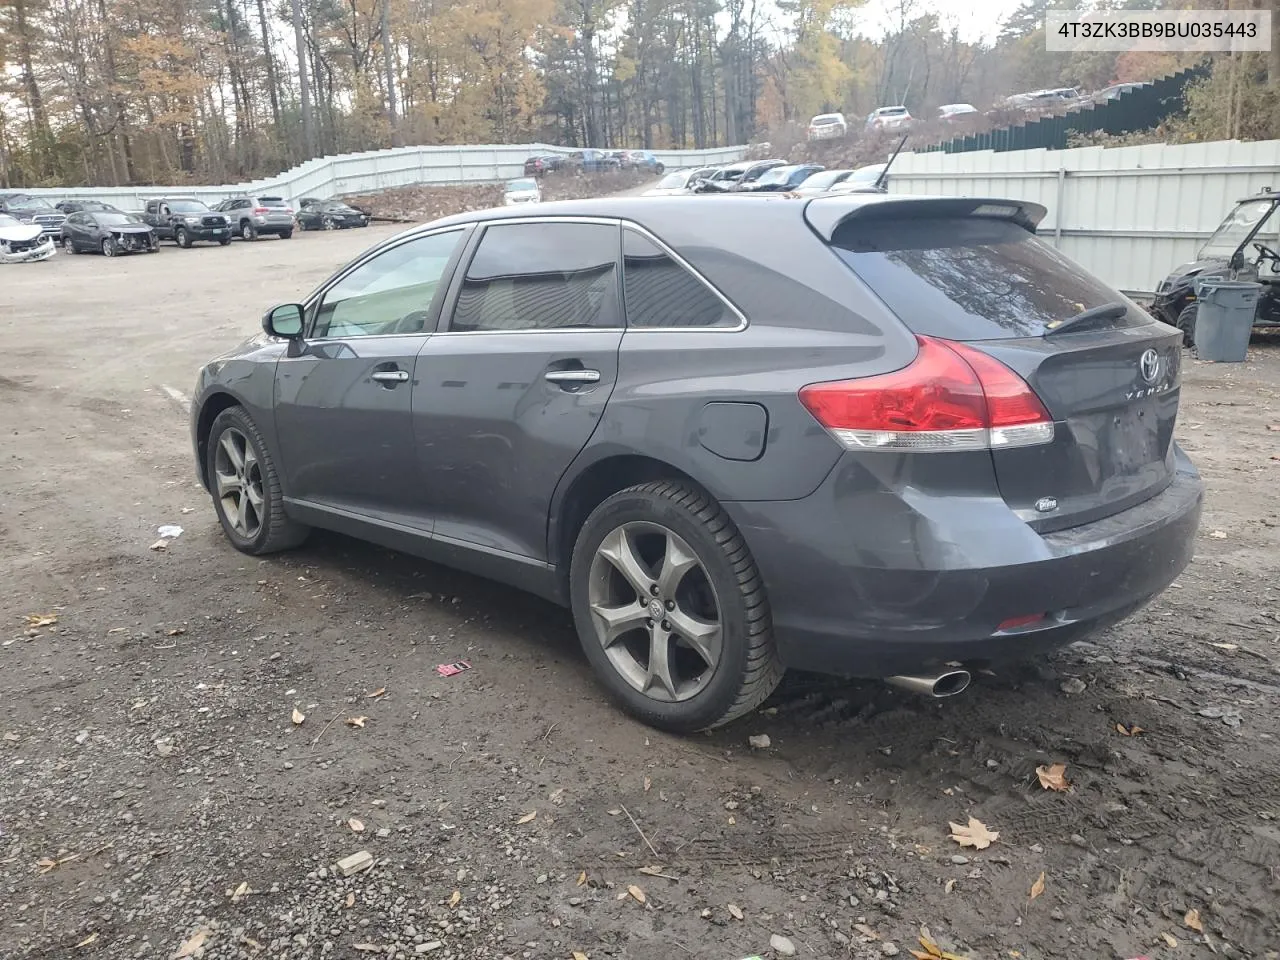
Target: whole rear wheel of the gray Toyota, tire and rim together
{"points": [[724, 583]]}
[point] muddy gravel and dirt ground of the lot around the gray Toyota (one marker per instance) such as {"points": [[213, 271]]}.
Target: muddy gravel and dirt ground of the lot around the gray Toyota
{"points": [[156, 789]]}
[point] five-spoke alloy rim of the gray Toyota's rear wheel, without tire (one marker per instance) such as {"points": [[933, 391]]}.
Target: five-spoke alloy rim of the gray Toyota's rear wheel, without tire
{"points": [[655, 611]]}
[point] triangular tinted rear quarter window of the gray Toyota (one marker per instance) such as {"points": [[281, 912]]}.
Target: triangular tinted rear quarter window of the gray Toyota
{"points": [[660, 292]]}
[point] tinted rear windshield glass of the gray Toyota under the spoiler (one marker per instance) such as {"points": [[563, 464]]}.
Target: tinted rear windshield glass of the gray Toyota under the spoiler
{"points": [[972, 278]]}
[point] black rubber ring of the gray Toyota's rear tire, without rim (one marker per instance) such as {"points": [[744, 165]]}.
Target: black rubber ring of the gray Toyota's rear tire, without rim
{"points": [[705, 710]]}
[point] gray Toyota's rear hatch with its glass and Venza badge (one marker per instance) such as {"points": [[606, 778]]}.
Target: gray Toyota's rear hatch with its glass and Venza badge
{"points": [[1110, 381]]}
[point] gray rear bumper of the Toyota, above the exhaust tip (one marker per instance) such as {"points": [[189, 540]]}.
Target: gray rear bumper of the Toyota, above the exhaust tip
{"points": [[861, 588]]}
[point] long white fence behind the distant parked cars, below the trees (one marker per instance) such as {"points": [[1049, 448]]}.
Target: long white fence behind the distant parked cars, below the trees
{"points": [[376, 171]]}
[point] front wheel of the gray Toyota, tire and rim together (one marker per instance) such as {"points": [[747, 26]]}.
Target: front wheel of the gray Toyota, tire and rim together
{"points": [[266, 528]]}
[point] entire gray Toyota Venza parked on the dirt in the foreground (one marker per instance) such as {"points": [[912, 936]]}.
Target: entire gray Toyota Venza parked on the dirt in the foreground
{"points": [[866, 436]]}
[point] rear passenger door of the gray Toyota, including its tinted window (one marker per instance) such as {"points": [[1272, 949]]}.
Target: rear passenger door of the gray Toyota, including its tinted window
{"points": [[514, 386]]}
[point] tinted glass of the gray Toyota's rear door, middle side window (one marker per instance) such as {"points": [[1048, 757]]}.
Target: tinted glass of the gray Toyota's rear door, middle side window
{"points": [[542, 277]]}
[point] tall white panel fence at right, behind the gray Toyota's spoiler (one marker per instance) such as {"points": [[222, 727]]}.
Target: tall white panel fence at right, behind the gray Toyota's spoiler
{"points": [[1128, 214]]}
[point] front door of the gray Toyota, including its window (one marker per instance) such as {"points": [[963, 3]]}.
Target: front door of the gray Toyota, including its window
{"points": [[344, 395]]}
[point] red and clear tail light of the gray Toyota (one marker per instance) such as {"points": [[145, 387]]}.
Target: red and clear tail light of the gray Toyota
{"points": [[952, 397]]}
